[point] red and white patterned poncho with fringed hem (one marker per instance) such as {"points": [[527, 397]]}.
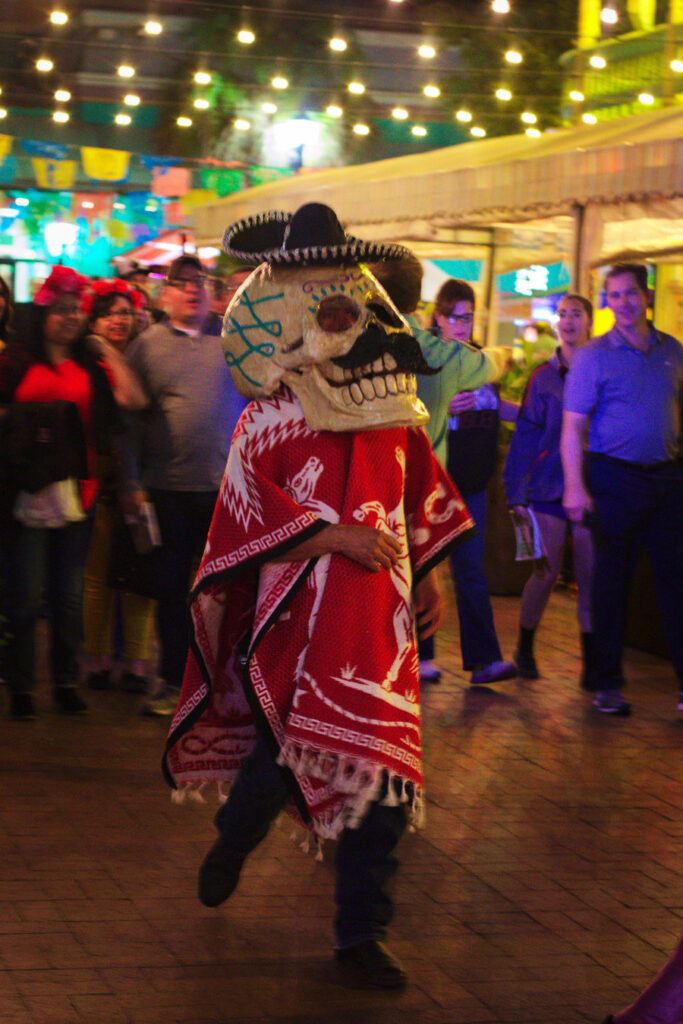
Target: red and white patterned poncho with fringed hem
{"points": [[332, 677]]}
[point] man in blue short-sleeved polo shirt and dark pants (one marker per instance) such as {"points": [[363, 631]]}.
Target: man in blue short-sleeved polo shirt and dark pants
{"points": [[624, 392]]}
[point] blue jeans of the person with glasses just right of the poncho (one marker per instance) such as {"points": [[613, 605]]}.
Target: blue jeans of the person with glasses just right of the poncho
{"points": [[479, 642]]}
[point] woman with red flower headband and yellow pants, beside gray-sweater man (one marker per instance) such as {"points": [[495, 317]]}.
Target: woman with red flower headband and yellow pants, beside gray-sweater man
{"points": [[112, 309]]}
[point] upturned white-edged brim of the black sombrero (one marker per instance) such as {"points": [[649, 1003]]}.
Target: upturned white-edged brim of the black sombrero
{"points": [[262, 240]]}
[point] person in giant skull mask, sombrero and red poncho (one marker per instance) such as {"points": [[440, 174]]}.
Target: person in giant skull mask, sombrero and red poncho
{"points": [[302, 688]]}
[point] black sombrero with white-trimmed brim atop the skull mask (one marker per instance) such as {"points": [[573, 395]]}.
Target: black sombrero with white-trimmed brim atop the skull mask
{"points": [[312, 236]]}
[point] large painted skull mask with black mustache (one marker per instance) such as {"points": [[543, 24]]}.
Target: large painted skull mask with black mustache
{"points": [[334, 337]]}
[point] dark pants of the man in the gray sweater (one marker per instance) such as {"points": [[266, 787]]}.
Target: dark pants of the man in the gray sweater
{"points": [[185, 518]]}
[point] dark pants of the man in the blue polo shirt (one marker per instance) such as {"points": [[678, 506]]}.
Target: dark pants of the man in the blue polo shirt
{"points": [[634, 507]]}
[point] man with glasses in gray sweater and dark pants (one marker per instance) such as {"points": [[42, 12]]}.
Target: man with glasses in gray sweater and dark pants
{"points": [[180, 446]]}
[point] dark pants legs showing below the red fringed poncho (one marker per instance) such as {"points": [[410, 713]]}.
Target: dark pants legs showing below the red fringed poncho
{"points": [[366, 857]]}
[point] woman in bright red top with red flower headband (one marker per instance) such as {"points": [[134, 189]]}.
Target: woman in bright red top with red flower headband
{"points": [[54, 386]]}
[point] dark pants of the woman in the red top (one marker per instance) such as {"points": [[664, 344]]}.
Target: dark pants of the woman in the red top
{"points": [[46, 569]]}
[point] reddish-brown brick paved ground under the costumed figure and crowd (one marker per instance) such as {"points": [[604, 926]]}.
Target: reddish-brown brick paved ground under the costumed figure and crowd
{"points": [[546, 889]]}
